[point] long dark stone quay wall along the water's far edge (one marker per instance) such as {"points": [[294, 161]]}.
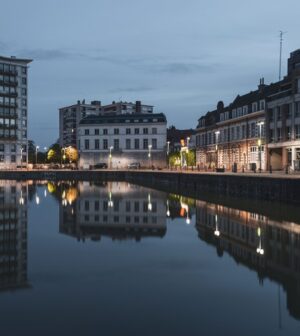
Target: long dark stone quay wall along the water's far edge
{"points": [[256, 187]]}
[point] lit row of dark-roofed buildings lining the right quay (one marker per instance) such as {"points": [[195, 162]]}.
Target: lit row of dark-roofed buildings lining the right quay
{"points": [[258, 130]]}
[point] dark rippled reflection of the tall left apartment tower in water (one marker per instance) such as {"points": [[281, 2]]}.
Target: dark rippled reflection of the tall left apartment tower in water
{"points": [[13, 235]]}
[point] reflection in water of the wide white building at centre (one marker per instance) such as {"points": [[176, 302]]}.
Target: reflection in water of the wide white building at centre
{"points": [[117, 210]]}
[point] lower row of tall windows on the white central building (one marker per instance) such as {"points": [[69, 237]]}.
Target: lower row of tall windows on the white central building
{"points": [[129, 144]]}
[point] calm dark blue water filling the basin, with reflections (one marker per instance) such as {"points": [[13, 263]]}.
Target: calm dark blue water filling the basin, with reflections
{"points": [[118, 259]]}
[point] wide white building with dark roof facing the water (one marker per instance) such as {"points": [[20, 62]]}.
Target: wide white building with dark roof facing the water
{"points": [[121, 139]]}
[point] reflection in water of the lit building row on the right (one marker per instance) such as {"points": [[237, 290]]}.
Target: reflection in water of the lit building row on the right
{"points": [[269, 247]]}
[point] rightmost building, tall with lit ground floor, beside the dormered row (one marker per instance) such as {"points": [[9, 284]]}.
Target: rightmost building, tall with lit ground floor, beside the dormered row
{"points": [[283, 119]]}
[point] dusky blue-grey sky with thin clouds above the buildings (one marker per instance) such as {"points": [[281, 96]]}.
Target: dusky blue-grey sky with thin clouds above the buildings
{"points": [[182, 56]]}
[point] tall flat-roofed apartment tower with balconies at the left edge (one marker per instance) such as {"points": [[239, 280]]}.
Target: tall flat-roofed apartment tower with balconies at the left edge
{"points": [[13, 111]]}
